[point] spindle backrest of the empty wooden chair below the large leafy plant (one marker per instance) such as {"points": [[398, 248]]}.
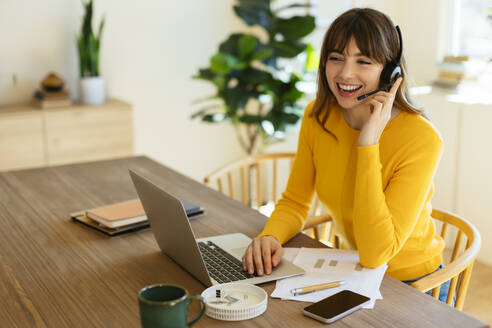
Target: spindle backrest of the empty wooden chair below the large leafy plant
{"points": [[239, 173]]}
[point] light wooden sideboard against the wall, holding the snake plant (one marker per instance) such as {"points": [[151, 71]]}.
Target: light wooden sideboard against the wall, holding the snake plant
{"points": [[32, 137]]}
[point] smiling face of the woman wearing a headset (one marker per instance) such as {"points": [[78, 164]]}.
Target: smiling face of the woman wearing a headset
{"points": [[351, 74]]}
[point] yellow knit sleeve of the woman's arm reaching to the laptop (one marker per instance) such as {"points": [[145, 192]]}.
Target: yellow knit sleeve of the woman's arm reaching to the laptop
{"points": [[292, 209]]}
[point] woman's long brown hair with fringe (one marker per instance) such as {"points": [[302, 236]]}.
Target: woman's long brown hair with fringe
{"points": [[376, 38]]}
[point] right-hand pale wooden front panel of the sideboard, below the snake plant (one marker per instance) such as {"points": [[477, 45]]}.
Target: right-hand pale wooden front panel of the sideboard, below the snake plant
{"points": [[78, 135]]}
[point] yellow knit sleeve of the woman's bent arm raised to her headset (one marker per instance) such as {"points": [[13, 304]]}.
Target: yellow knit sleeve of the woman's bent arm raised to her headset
{"points": [[385, 218]]}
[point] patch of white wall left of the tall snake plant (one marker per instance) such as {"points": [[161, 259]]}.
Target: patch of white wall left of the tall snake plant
{"points": [[36, 37]]}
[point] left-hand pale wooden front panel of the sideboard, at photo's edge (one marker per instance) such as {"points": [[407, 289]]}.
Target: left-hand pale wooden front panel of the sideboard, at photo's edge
{"points": [[21, 142]]}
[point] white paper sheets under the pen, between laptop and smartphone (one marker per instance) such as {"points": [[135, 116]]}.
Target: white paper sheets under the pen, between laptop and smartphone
{"points": [[326, 265]]}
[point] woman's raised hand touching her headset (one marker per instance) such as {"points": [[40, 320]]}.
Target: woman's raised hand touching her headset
{"points": [[380, 105]]}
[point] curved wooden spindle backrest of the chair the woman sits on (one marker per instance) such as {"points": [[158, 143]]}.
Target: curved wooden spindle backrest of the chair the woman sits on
{"points": [[460, 266]]}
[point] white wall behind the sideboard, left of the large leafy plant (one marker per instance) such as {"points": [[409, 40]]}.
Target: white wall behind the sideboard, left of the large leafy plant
{"points": [[150, 50]]}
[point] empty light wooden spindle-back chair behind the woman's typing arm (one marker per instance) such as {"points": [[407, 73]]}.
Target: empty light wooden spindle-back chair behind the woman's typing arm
{"points": [[227, 180]]}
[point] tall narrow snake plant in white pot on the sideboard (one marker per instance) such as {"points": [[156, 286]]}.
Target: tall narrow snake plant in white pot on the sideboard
{"points": [[92, 90]]}
